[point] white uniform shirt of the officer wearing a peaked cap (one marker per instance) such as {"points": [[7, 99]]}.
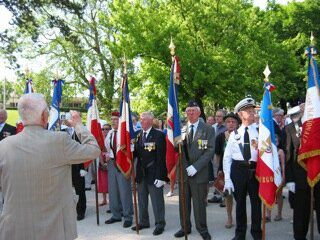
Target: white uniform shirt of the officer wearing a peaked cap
{"points": [[232, 150]]}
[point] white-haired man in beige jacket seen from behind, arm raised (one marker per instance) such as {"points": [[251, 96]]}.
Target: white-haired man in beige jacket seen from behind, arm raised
{"points": [[35, 175]]}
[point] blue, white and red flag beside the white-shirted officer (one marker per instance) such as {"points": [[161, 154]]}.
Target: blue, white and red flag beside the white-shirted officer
{"points": [[268, 165]]}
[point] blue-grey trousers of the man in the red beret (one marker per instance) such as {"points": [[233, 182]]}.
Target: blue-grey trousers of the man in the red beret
{"points": [[120, 193]]}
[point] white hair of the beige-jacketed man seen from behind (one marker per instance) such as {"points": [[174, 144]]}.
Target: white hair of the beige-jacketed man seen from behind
{"points": [[31, 107]]}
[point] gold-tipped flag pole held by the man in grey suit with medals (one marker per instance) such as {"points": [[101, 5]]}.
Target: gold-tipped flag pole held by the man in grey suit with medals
{"points": [[183, 194]]}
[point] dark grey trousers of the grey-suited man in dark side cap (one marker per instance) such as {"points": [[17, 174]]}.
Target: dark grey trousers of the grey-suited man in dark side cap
{"points": [[197, 192]]}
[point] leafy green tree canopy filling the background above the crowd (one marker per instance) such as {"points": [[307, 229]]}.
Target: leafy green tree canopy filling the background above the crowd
{"points": [[223, 47]]}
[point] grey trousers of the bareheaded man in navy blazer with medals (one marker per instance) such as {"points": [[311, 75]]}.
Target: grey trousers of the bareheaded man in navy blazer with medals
{"points": [[157, 201]]}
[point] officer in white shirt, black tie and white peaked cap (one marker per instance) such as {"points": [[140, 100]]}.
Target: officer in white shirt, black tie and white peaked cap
{"points": [[239, 164]]}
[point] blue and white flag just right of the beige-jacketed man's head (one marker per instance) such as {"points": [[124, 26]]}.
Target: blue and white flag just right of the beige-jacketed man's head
{"points": [[54, 123]]}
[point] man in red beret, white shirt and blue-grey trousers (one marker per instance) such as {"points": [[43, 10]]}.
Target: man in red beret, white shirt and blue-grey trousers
{"points": [[120, 194]]}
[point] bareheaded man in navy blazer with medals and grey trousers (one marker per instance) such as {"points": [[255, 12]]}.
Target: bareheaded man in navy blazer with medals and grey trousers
{"points": [[151, 173]]}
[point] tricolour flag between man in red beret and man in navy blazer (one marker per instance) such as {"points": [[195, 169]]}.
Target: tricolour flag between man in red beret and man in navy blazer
{"points": [[125, 130]]}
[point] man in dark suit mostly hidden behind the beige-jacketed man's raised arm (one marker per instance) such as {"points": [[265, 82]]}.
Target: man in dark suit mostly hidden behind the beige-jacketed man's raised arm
{"points": [[78, 172]]}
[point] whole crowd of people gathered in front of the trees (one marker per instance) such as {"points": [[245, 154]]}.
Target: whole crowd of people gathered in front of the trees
{"points": [[39, 165]]}
